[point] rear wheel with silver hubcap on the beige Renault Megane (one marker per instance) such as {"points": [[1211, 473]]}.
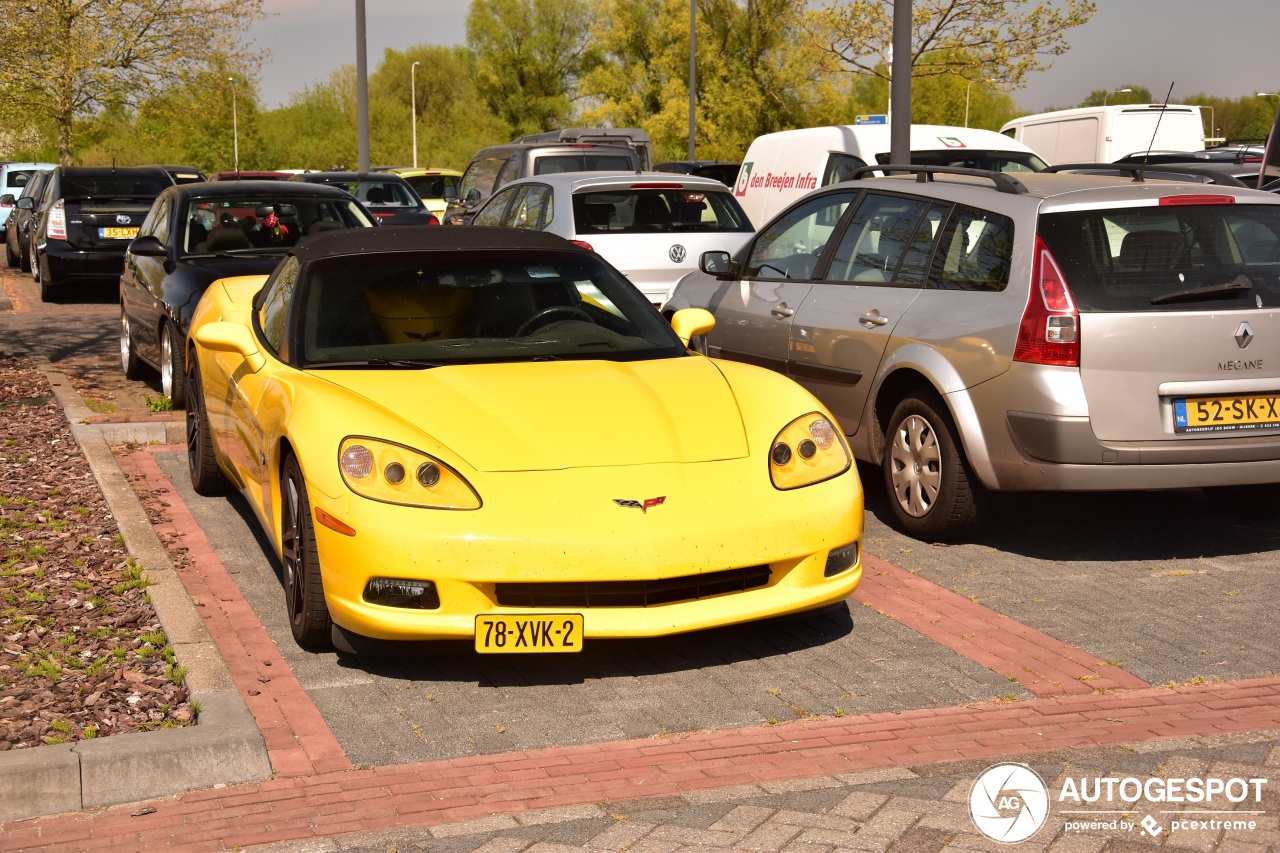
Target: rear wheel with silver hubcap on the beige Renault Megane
{"points": [[931, 490]]}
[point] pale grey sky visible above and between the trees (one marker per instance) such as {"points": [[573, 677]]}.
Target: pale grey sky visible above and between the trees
{"points": [[1214, 47]]}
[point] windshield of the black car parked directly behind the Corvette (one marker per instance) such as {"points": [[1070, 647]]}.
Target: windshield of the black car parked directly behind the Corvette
{"points": [[262, 223]]}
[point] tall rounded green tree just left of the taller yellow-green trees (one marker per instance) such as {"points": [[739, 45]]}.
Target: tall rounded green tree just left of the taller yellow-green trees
{"points": [[529, 56]]}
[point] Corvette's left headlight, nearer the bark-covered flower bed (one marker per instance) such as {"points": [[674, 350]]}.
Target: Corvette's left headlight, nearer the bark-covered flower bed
{"points": [[396, 475]]}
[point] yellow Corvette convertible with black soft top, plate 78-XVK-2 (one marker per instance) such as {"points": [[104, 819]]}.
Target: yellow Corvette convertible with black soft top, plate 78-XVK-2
{"points": [[491, 435]]}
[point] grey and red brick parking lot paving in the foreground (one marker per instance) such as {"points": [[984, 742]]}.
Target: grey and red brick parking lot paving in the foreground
{"points": [[1112, 637]]}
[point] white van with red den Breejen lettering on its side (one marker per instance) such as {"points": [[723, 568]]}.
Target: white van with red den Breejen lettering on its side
{"points": [[781, 167]]}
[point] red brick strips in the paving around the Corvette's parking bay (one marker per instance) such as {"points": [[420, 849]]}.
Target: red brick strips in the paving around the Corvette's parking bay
{"points": [[332, 799]]}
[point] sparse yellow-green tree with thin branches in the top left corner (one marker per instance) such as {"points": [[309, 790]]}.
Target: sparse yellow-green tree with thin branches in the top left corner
{"points": [[95, 54]]}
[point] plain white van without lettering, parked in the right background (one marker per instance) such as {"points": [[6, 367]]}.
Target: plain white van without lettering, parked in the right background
{"points": [[1107, 134]]}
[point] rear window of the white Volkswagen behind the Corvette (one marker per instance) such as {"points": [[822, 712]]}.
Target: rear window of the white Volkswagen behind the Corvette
{"points": [[657, 211]]}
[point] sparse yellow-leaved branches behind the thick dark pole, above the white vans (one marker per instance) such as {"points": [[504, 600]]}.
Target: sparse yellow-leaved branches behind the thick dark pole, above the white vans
{"points": [[990, 40]]}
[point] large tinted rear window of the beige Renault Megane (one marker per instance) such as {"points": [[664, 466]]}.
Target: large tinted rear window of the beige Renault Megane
{"points": [[1185, 258]]}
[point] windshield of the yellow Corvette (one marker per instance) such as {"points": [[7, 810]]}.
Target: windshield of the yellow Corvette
{"points": [[424, 309]]}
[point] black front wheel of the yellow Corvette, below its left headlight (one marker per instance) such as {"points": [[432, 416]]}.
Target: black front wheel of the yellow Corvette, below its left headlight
{"points": [[304, 589]]}
